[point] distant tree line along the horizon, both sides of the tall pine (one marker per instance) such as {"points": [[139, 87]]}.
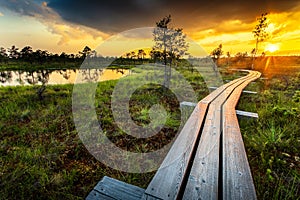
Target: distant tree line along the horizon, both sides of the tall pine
{"points": [[27, 59]]}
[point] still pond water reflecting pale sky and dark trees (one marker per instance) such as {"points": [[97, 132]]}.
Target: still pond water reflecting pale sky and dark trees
{"points": [[54, 77]]}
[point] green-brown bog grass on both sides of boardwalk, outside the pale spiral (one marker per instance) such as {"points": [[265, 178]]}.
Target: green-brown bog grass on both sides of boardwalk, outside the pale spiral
{"points": [[42, 157]]}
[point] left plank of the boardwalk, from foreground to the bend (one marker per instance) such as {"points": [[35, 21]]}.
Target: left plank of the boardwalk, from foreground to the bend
{"points": [[170, 176]]}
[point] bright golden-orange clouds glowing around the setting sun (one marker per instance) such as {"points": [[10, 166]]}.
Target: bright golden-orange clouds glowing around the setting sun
{"points": [[237, 36]]}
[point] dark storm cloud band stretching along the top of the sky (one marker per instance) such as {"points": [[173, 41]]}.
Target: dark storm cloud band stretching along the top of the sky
{"points": [[113, 16]]}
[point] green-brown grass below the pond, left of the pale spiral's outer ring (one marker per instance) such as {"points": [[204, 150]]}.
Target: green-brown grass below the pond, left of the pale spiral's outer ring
{"points": [[41, 155]]}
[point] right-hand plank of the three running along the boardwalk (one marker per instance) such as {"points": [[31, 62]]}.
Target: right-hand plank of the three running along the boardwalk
{"points": [[237, 181]]}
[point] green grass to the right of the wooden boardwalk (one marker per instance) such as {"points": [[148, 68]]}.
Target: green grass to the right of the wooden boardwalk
{"points": [[273, 141]]}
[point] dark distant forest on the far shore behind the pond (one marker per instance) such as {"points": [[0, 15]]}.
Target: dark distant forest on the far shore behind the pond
{"points": [[26, 58]]}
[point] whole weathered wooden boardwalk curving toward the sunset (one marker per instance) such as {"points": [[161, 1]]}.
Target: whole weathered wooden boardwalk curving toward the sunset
{"points": [[208, 158]]}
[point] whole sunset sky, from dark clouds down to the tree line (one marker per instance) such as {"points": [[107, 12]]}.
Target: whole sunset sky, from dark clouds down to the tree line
{"points": [[69, 25]]}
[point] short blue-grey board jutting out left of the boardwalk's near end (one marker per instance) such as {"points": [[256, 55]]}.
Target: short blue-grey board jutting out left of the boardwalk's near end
{"points": [[109, 188]]}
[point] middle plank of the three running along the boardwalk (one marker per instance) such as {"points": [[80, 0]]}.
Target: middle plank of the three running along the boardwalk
{"points": [[203, 182]]}
